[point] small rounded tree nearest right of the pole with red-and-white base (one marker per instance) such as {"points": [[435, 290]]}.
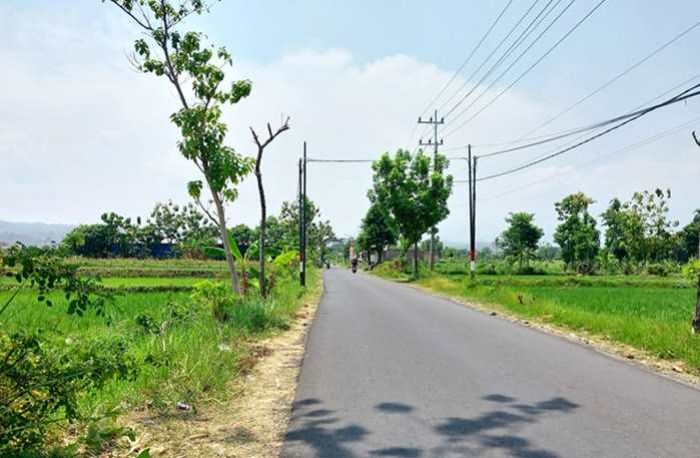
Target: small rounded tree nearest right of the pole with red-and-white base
{"points": [[521, 239]]}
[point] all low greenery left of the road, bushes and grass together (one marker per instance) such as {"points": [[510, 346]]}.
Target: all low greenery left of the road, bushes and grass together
{"points": [[154, 342]]}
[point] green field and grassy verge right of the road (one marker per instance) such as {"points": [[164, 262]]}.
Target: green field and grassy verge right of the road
{"points": [[652, 314]]}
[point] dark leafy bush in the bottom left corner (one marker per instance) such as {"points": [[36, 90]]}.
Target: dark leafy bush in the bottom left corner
{"points": [[40, 385]]}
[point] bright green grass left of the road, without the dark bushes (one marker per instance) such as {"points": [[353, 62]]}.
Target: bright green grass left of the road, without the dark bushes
{"points": [[183, 351]]}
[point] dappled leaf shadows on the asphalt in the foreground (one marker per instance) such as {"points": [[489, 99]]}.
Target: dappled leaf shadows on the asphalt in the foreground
{"points": [[319, 432]]}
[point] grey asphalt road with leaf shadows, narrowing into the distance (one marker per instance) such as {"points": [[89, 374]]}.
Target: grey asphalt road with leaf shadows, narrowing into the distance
{"points": [[393, 372]]}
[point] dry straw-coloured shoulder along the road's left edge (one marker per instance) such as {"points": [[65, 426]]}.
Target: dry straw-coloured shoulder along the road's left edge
{"points": [[254, 422]]}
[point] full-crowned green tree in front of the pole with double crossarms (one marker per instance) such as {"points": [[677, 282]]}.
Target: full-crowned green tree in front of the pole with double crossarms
{"points": [[414, 190]]}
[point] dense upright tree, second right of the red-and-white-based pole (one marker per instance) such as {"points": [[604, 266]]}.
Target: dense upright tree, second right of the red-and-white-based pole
{"points": [[577, 234]]}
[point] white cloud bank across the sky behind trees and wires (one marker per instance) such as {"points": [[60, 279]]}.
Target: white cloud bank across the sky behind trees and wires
{"points": [[81, 133]]}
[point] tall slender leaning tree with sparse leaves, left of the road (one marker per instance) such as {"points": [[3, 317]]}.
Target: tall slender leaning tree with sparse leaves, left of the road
{"points": [[196, 73]]}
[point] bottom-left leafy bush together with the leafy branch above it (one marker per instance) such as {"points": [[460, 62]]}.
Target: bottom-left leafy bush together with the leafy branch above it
{"points": [[40, 383]]}
